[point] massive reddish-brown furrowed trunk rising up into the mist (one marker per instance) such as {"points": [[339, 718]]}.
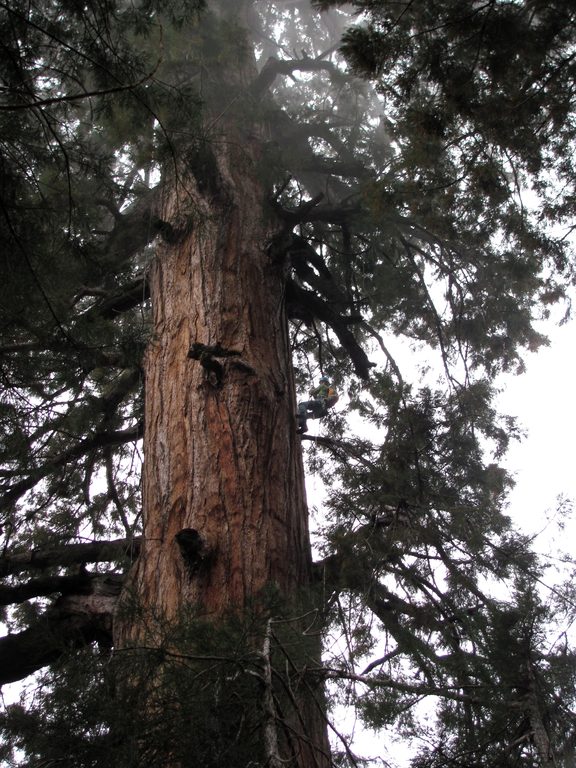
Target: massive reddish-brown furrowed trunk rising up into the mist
{"points": [[225, 515]]}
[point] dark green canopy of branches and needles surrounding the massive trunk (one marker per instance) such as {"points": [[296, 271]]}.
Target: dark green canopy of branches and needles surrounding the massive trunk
{"points": [[418, 164]]}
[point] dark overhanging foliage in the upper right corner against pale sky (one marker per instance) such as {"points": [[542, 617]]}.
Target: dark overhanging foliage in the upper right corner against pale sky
{"points": [[471, 96]]}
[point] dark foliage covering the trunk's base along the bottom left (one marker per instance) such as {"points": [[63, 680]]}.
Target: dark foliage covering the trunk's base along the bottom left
{"points": [[204, 692]]}
